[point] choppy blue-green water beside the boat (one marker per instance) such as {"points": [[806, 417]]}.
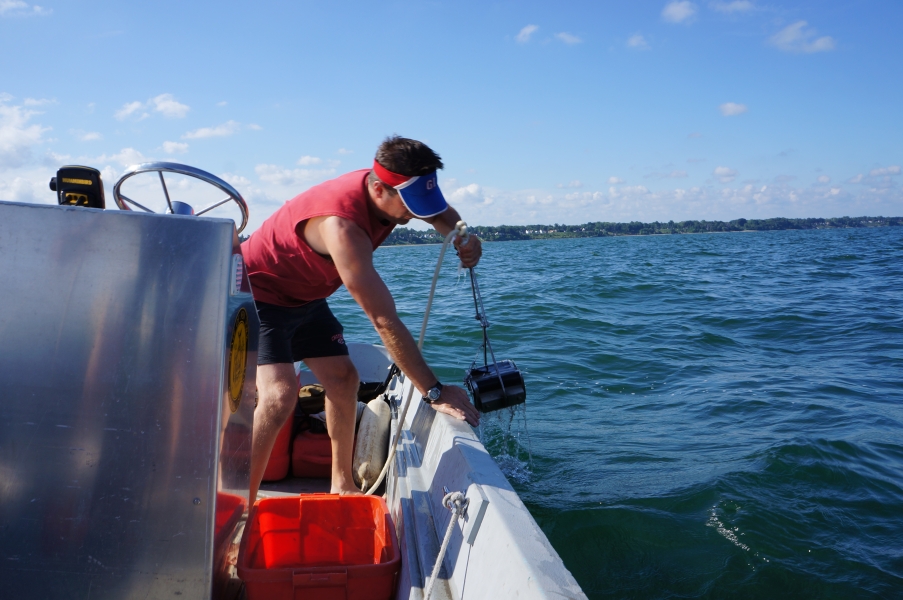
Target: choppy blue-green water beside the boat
{"points": [[709, 415]]}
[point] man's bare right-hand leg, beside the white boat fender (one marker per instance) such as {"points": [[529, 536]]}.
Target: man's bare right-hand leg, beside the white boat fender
{"points": [[340, 380]]}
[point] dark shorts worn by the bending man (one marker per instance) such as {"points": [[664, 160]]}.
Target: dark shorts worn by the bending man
{"points": [[289, 334]]}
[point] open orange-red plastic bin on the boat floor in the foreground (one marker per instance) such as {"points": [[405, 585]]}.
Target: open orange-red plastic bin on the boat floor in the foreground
{"points": [[319, 547]]}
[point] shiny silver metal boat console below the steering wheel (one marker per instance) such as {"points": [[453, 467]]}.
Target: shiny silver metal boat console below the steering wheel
{"points": [[123, 463]]}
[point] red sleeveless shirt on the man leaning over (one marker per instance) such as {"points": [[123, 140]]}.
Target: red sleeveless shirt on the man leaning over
{"points": [[283, 269]]}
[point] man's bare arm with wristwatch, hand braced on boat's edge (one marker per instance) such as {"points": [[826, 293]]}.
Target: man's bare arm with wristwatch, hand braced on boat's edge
{"points": [[352, 252]]}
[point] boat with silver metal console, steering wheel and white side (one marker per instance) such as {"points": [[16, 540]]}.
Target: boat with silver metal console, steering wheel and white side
{"points": [[126, 405]]}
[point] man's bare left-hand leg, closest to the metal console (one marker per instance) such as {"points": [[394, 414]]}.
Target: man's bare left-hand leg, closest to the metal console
{"points": [[277, 389]]}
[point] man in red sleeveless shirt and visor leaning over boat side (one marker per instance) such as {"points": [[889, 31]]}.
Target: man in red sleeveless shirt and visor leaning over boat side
{"points": [[318, 241]]}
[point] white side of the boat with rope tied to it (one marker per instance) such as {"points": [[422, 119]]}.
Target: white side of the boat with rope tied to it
{"points": [[498, 550]]}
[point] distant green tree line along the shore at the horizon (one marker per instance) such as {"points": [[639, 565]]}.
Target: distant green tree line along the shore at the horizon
{"points": [[504, 233]]}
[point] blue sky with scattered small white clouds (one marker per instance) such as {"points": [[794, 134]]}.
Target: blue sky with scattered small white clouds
{"points": [[543, 112]]}
